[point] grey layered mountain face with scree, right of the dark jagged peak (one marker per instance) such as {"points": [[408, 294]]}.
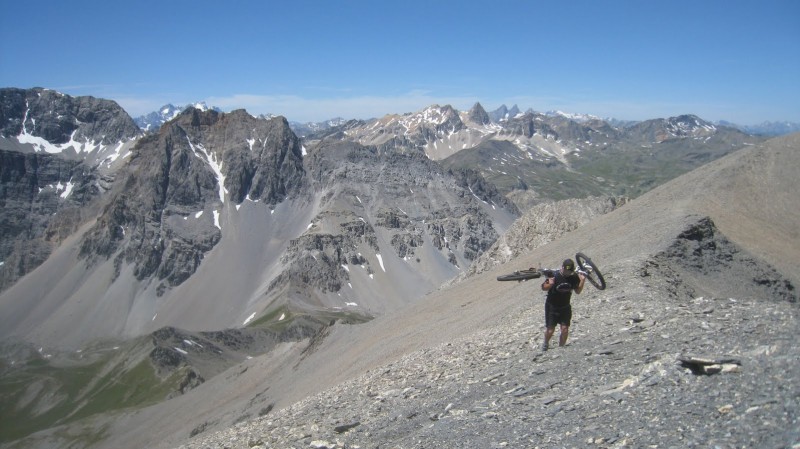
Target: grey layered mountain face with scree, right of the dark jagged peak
{"points": [[380, 209]]}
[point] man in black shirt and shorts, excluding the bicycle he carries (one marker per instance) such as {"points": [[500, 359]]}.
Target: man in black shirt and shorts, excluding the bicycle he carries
{"points": [[557, 308]]}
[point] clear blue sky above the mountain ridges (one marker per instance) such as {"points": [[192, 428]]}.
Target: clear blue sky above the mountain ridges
{"points": [[314, 60]]}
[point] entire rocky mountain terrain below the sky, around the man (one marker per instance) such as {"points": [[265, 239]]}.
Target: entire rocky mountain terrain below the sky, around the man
{"points": [[225, 273]]}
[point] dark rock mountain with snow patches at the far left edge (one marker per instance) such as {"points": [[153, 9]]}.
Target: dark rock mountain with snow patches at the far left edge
{"points": [[50, 147]]}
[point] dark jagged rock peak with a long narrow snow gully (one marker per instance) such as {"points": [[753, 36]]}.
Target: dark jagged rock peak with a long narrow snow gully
{"points": [[164, 214]]}
